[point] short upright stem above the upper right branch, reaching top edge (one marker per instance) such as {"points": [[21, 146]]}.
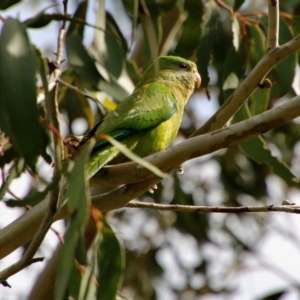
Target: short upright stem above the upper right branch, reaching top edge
{"points": [[273, 24]]}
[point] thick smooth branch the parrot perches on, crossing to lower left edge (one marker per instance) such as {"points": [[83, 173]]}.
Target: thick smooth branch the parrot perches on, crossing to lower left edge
{"points": [[21, 230]]}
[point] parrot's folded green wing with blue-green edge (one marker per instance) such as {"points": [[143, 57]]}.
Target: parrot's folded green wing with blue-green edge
{"points": [[146, 107]]}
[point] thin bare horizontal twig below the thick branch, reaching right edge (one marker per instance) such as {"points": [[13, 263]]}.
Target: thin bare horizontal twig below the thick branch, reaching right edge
{"points": [[214, 209]]}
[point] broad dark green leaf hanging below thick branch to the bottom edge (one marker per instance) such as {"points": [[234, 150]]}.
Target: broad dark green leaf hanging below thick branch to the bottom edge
{"points": [[111, 264]]}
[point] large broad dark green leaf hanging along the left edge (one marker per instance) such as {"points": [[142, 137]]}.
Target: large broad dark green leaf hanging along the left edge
{"points": [[18, 110]]}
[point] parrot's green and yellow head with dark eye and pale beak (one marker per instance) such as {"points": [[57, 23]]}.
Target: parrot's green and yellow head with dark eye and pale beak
{"points": [[175, 72]]}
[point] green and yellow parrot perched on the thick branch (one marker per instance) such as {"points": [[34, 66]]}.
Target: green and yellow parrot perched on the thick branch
{"points": [[148, 120]]}
